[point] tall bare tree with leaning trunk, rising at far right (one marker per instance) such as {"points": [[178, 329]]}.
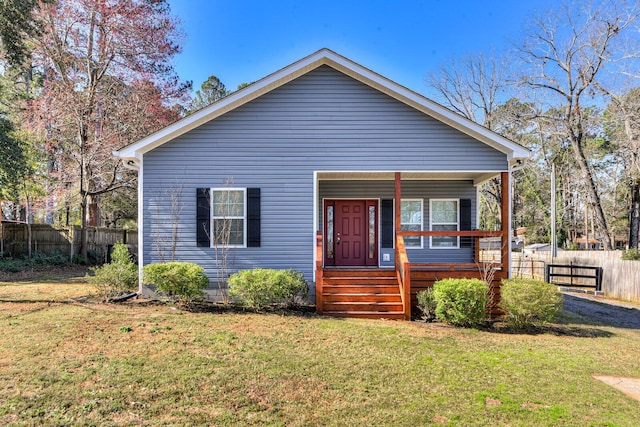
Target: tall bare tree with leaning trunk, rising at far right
{"points": [[566, 54]]}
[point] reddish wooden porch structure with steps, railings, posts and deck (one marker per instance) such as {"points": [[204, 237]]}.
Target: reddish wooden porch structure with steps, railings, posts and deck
{"points": [[390, 292]]}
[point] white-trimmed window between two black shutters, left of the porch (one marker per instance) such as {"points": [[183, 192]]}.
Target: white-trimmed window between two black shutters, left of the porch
{"points": [[229, 217]]}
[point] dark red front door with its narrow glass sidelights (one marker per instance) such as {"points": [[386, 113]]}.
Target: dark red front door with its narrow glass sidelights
{"points": [[351, 232]]}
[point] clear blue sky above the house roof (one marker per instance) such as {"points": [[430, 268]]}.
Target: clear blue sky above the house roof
{"points": [[242, 41]]}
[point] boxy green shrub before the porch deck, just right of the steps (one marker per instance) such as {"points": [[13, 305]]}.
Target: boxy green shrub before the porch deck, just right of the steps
{"points": [[461, 302]]}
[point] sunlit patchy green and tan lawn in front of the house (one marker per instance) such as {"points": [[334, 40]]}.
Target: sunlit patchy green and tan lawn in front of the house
{"points": [[83, 363]]}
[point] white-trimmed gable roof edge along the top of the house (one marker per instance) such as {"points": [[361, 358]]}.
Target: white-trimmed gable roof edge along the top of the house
{"points": [[133, 152]]}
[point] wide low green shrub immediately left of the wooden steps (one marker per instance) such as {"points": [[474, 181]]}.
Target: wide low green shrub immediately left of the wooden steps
{"points": [[259, 287]]}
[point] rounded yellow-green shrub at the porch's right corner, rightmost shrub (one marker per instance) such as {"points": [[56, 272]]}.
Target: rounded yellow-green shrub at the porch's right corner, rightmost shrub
{"points": [[529, 302]]}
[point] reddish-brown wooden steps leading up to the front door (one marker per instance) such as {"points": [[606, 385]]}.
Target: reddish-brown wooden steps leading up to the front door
{"points": [[361, 293]]}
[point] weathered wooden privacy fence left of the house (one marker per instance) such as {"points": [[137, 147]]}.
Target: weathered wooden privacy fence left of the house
{"points": [[65, 240]]}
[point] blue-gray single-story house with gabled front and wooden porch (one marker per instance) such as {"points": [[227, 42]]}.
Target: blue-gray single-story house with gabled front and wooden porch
{"points": [[368, 188]]}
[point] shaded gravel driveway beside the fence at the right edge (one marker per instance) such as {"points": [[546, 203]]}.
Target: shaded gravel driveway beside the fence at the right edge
{"points": [[605, 312]]}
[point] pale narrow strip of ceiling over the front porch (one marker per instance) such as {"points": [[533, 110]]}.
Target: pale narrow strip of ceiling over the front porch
{"points": [[478, 177]]}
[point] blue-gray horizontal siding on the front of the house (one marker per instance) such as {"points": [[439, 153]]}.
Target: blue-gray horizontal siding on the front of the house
{"points": [[322, 121]]}
